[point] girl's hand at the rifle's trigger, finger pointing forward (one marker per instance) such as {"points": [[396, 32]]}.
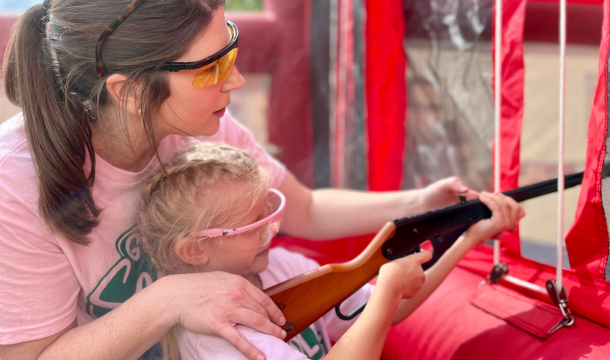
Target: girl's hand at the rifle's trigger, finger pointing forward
{"points": [[405, 275]]}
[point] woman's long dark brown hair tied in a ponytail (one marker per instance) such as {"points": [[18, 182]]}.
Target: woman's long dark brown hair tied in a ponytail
{"points": [[50, 72]]}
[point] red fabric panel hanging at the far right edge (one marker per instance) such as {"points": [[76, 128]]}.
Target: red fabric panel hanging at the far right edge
{"points": [[587, 241]]}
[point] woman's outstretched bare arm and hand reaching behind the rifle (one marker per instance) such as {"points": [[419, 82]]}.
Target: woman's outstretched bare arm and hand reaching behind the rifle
{"points": [[334, 213]]}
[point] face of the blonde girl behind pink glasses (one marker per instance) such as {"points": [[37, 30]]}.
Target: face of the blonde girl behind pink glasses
{"points": [[241, 254]]}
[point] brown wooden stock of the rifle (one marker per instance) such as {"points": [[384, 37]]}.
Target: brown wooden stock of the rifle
{"points": [[307, 297]]}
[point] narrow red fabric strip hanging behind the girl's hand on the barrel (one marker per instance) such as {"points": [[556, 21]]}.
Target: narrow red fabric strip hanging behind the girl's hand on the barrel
{"points": [[513, 18]]}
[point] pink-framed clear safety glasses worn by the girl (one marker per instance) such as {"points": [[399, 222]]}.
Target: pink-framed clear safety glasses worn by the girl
{"points": [[267, 227]]}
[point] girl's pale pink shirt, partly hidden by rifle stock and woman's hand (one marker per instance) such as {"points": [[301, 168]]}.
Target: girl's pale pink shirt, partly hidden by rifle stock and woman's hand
{"points": [[312, 343]]}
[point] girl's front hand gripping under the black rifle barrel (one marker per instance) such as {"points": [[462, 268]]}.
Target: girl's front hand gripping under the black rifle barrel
{"points": [[505, 214]]}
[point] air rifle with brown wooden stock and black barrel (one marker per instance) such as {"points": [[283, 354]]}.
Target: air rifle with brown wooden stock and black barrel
{"points": [[307, 297]]}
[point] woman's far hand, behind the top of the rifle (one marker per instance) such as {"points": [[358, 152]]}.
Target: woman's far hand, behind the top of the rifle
{"points": [[443, 193]]}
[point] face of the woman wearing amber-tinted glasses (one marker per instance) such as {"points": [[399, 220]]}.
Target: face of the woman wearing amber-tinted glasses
{"points": [[196, 111]]}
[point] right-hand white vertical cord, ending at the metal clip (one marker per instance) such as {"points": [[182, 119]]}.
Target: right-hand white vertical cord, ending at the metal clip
{"points": [[560, 170]]}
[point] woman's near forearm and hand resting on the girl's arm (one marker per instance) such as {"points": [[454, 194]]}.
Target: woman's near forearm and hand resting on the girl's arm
{"points": [[210, 303]]}
